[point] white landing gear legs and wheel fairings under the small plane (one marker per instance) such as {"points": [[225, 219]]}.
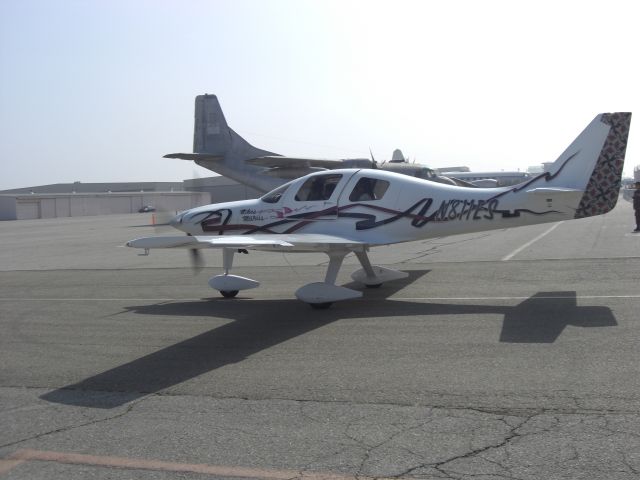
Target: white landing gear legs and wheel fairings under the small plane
{"points": [[319, 295]]}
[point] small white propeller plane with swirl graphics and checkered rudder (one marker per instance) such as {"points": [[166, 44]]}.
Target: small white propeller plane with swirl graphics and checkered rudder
{"points": [[351, 210]]}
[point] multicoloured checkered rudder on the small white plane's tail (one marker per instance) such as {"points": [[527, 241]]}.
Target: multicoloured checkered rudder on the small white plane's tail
{"points": [[603, 187]]}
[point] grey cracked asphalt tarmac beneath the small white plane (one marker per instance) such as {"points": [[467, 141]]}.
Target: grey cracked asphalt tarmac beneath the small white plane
{"points": [[507, 354]]}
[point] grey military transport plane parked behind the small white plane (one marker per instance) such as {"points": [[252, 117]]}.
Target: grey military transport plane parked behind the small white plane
{"points": [[220, 149]]}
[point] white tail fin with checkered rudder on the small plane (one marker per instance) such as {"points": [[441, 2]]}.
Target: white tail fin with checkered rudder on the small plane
{"points": [[593, 163]]}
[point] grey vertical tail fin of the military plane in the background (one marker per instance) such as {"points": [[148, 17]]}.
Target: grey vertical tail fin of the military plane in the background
{"points": [[212, 135]]}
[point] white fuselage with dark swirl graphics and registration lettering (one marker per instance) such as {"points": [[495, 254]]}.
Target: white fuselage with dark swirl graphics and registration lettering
{"points": [[398, 208]]}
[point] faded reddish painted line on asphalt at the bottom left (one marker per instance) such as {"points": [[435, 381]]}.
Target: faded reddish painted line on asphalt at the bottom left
{"points": [[164, 466]]}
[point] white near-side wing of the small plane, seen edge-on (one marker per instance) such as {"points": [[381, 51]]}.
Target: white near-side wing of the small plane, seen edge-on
{"points": [[288, 242]]}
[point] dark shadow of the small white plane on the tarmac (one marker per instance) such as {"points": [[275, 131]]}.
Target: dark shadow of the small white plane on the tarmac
{"points": [[261, 324]]}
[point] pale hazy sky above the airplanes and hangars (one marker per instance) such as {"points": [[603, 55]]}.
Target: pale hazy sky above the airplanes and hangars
{"points": [[99, 90]]}
